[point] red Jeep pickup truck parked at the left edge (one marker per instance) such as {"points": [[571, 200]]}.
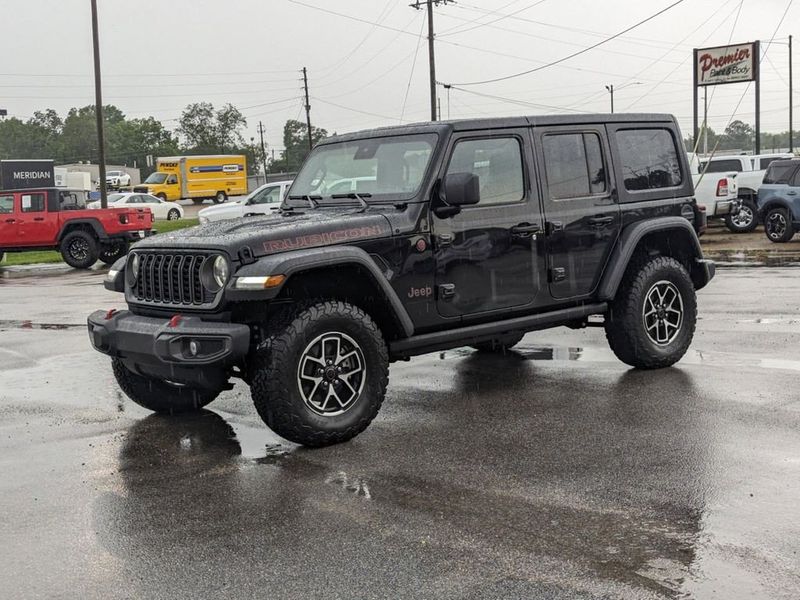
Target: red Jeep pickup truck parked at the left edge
{"points": [[53, 218]]}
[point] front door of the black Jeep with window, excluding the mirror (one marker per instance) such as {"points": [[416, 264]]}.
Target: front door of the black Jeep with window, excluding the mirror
{"points": [[487, 256]]}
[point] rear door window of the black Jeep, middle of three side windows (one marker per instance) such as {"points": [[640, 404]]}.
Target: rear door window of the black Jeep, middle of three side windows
{"points": [[574, 165]]}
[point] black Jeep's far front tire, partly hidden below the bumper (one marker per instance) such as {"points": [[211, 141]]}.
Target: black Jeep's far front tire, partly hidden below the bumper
{"points": [[160, 396]]}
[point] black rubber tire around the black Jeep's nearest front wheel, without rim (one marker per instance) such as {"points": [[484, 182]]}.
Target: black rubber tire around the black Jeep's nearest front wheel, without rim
{"points": [[275, 383]]}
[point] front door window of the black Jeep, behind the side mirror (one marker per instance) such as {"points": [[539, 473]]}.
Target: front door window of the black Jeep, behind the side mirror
{"points": [[498, 164]]}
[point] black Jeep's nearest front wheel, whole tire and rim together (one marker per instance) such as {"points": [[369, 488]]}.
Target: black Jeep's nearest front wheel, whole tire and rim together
{"points": [[321, 377]]}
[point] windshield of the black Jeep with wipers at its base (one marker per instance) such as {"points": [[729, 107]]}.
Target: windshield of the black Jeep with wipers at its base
{"points": [[387, 168]]}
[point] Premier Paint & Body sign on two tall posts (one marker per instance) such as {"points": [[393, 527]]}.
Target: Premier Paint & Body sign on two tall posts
{"points": [[735, 63]]}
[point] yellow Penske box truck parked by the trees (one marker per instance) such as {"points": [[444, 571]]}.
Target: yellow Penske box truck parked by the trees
{"points": [[197, 177]]}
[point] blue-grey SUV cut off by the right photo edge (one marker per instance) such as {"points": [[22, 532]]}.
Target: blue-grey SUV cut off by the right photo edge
{"points": [[779, 200]]}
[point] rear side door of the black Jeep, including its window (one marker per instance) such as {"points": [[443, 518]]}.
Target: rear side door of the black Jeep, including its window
{"points": [[581, 212]]}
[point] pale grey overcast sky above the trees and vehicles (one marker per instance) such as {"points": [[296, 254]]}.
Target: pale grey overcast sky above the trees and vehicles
{"points": [[158, 56]]}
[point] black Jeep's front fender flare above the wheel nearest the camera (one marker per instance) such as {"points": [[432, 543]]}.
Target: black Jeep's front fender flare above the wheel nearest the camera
{"points": [[298, 261]]}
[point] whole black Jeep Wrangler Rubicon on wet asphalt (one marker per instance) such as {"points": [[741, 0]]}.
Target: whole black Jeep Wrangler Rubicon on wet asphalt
{"points": [[400, 241]]}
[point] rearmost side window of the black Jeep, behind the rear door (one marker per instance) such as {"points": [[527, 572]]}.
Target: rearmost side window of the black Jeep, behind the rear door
{"points": [[649, 159]]}
